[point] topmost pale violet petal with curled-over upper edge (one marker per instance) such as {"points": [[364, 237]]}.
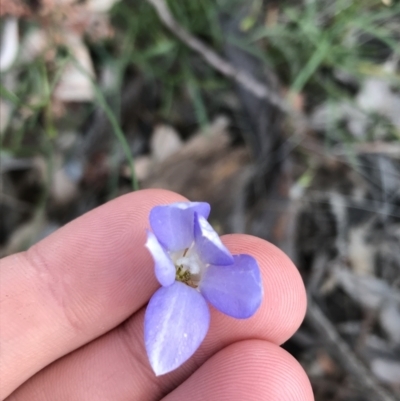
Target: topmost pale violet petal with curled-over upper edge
{"points": [[173, 224]]}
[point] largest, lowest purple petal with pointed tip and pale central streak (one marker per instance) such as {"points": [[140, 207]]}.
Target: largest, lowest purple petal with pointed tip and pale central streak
{"points": [[176, 322]]}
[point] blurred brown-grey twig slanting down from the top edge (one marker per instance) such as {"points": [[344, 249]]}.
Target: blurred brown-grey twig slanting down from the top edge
{"points": [[254, 86]]}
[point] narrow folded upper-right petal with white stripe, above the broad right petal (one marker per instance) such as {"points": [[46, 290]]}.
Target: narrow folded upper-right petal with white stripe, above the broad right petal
{"points": [[208, 244]]}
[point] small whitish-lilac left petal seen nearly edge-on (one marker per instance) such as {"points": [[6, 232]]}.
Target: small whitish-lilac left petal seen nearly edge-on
{"points": [[163, 266]]}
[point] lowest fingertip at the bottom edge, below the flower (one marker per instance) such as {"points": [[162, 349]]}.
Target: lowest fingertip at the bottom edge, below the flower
{"points": [[247, 371]]}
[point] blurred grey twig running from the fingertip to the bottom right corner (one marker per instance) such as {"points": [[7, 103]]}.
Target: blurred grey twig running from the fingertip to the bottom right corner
{"points": [[351, 363]]}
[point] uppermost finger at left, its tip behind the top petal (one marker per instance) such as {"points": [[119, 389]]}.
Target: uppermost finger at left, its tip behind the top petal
{"points": [[75, 285]]}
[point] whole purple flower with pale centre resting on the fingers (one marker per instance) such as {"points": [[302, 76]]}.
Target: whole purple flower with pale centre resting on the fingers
{"points": [[193, 266]]}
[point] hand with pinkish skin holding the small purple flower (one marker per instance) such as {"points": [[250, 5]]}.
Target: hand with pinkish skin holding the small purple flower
{"points": [[72, 310]]}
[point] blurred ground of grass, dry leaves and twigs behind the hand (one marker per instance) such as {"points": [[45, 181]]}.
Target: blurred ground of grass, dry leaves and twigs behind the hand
{"points": [[99, 98]]}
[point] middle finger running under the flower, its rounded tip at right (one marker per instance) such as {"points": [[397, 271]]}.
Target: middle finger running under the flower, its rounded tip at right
{"points": [[115, 366]]}
